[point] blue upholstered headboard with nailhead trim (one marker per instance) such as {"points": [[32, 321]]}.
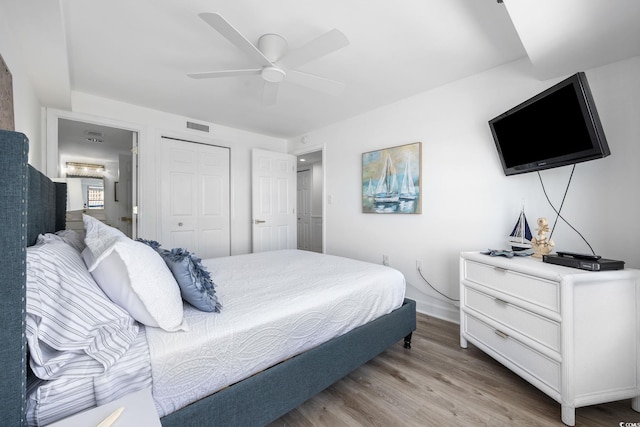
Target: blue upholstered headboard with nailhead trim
{"points": [[30, 204]]}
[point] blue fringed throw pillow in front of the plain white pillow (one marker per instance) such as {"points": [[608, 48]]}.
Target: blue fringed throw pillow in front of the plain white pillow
{"points": [[194, 280]]}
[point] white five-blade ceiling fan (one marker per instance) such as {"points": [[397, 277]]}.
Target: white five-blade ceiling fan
{"points": [[273, 62]]}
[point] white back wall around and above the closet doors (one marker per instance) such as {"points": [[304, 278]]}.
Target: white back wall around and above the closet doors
{"points": [[155, 124]]}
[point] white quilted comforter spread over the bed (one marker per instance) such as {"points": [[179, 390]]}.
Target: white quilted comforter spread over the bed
{"points": [[275, 305]]}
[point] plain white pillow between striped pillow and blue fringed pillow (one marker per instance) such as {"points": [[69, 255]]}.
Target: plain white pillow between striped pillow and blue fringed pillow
{"points": [[134, 276]]}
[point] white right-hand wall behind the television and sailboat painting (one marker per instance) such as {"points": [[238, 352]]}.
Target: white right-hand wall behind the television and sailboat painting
{"points": [[468, 203]]}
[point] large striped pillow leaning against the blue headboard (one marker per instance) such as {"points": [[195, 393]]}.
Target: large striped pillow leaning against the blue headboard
{"points": [[73, 329]]}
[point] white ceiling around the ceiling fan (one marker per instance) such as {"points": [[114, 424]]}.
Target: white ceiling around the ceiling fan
{"points": [[141, 51]]}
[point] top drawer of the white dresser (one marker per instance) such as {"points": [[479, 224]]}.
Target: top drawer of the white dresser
{"points": [[534, 290]]}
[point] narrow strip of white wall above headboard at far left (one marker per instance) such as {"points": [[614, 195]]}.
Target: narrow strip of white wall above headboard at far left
{"points": [[26, 106]]}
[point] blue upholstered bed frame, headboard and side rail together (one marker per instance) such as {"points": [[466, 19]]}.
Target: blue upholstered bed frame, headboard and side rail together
{"points": [[30, 205]]}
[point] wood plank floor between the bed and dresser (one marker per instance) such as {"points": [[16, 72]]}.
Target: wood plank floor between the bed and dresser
{"points": [[437, 383]]}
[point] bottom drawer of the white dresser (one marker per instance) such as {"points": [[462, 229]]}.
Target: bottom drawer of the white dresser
{"points": [[545, 370]]}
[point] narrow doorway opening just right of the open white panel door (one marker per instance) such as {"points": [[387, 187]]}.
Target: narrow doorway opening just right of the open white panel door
{"points": [[310, 201]]}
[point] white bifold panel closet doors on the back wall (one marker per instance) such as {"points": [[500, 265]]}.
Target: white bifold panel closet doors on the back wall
{"points": [[194, 193]]}
